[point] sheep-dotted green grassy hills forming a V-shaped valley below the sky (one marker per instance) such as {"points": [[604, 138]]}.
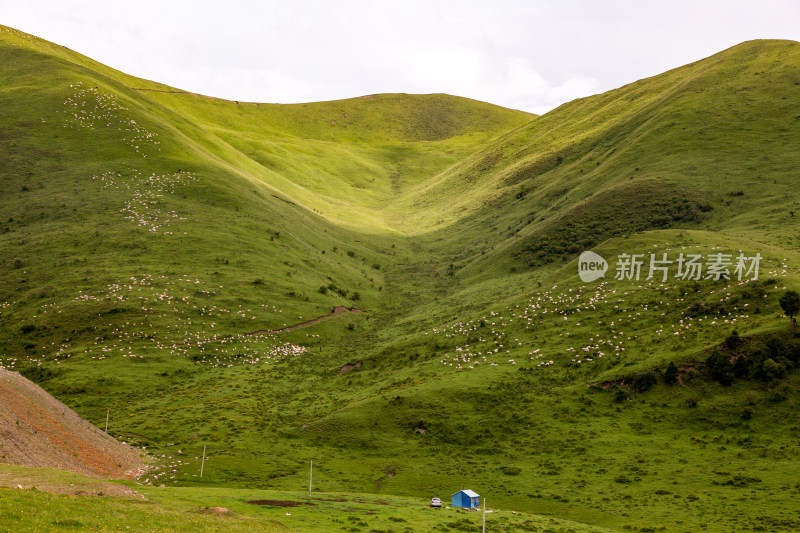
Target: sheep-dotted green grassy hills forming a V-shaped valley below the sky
{"points": [[158, 244]]}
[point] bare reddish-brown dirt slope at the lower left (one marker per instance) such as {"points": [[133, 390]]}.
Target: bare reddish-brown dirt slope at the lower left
{"points": [[38, 430]]}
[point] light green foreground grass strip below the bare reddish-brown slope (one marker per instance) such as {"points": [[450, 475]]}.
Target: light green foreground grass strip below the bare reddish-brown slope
{"points": [[227, 509]]}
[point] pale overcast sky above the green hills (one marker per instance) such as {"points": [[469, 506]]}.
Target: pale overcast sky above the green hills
{"points": [[530, 55]]}
